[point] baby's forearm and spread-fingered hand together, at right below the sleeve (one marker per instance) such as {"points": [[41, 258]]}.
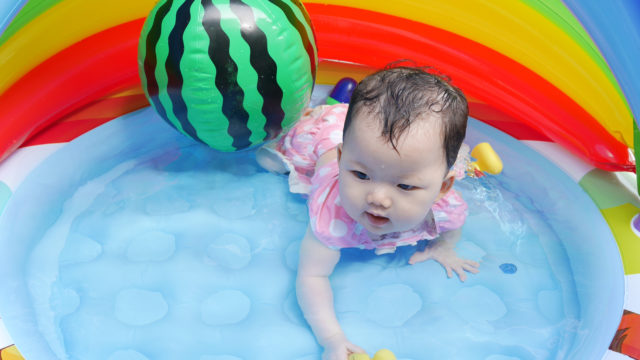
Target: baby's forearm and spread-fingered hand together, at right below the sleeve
{"points": [[442, 251]]}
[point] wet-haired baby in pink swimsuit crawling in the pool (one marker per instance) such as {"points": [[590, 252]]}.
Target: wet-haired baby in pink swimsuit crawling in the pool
{"points": [[378, 174]]}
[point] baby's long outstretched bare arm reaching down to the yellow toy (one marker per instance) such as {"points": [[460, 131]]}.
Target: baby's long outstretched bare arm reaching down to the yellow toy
{"points": [[316, 298]]}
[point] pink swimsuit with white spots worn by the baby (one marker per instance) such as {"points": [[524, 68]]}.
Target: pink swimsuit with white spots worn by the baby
{"points": [[314, 134]]}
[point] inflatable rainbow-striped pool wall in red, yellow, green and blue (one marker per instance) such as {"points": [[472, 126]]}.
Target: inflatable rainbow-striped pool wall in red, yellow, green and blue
{"points": [[559, 76]]}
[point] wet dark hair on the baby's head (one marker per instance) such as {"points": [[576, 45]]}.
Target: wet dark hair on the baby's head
{"points": [[400, 95]]}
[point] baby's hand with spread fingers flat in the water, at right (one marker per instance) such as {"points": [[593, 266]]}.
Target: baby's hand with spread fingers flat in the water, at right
{"points": [[448, 258]]}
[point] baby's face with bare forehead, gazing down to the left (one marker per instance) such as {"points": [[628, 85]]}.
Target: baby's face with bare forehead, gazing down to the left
{"points": [[388, 191]]}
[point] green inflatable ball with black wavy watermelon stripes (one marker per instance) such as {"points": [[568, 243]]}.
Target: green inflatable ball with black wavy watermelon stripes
{"points": [[228, 73]]}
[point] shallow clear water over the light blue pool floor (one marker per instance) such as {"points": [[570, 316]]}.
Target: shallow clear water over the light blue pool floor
{"points": [[164, 249]]}
